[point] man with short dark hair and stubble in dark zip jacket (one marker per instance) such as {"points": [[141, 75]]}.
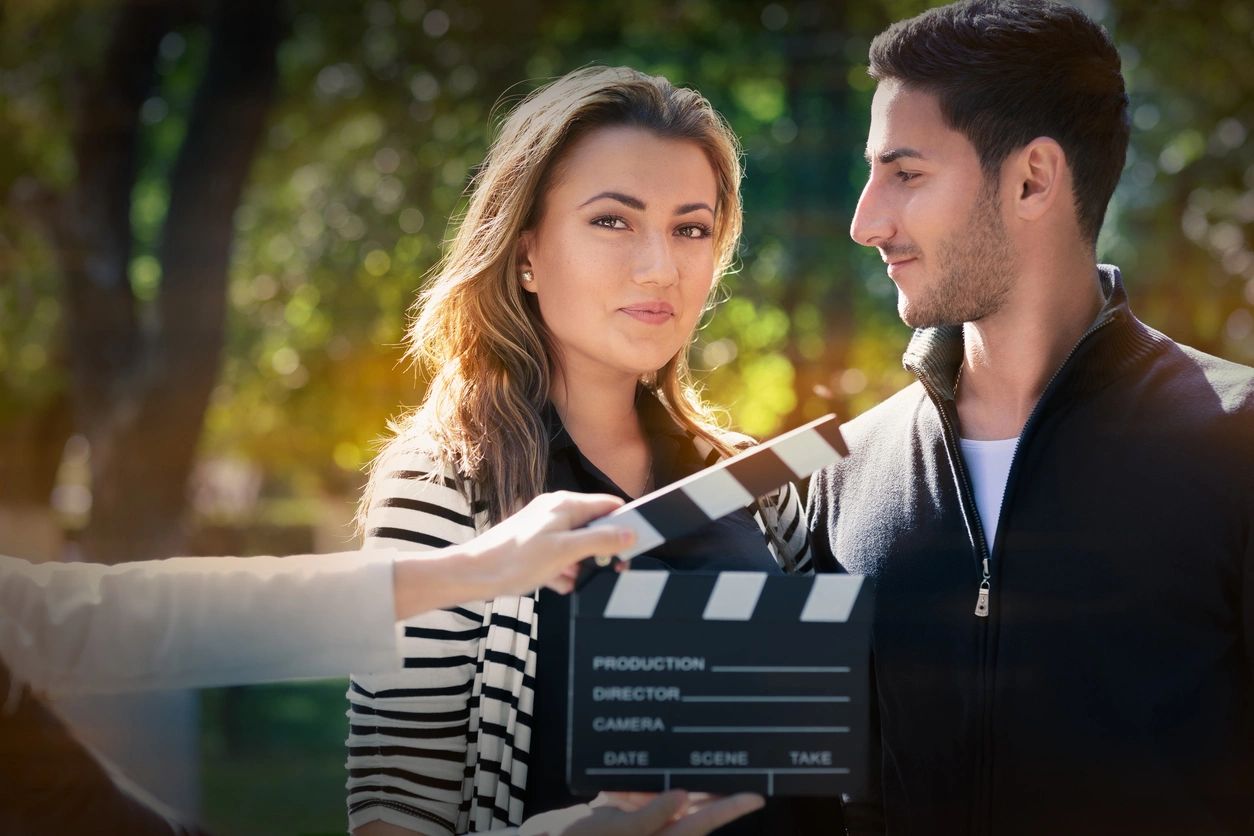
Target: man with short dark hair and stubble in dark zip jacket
{"points": [[1059, 516]]}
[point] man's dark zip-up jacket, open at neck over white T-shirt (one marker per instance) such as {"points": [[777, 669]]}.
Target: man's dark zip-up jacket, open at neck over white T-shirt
{"points": [[1110, 690]]}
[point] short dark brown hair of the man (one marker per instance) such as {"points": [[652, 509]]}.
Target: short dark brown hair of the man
{"points": [[1006, 72]]}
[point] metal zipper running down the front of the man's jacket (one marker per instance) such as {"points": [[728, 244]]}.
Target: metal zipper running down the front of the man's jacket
{"points": [[985, 588]]}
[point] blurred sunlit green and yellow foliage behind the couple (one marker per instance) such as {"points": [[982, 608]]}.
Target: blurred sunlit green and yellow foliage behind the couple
{"points": [[388, 106]]}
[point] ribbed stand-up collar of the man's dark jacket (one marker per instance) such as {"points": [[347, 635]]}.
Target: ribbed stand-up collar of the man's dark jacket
{"points": [[935, 354]]}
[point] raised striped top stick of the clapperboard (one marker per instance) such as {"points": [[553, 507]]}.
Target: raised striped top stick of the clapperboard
{"points": [[710, 494]]}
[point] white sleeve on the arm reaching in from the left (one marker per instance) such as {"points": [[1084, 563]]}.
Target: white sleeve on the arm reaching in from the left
{"points": [[196, 622]]}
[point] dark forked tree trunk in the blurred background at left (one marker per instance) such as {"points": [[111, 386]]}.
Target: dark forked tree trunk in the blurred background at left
{"points": [[141, 385]]}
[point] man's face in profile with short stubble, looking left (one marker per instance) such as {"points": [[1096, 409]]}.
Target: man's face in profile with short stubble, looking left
{"points": [[932, 214]]}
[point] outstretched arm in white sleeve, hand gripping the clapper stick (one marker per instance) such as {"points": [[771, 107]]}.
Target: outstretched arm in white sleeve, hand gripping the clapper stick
{"points": [[205, 622]]}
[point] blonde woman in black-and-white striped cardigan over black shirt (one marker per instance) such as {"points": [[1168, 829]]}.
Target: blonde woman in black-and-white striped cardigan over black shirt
{"points": [[557, 327]]}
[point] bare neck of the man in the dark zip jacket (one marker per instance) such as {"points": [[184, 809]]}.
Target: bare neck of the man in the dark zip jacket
{"points": [[1010, 358]]}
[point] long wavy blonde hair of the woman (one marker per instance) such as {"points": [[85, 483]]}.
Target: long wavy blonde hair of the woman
{"points": [[485, 344]]}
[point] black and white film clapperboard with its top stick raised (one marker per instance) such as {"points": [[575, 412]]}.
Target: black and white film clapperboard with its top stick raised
{"points": [[720, 682]]}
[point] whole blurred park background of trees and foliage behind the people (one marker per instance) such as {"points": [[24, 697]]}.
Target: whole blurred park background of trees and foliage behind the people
{"points": [[215, 214]]}
